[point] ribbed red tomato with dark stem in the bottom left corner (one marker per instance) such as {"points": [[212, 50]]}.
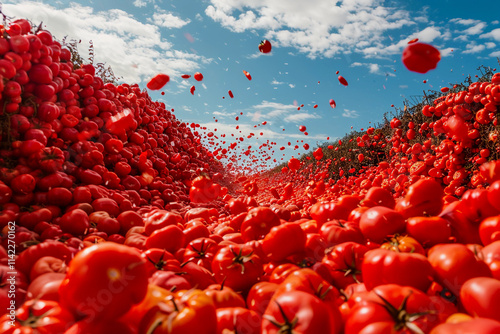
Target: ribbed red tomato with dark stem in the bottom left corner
{"points": [[37, 316]]}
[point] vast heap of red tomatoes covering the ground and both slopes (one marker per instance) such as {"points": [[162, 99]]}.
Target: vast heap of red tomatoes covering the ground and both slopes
{"points": [[122, 224]]}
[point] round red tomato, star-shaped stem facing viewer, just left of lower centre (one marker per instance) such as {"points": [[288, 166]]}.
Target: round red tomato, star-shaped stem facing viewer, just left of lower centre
{"points": [[237, 266]]}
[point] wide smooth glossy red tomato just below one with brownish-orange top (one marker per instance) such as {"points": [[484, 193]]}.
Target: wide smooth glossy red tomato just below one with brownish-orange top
{"points": [[381, 266]]}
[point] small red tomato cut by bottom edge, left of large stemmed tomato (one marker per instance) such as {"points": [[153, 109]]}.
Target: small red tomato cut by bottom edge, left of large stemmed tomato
{"points": [[238, 320]]}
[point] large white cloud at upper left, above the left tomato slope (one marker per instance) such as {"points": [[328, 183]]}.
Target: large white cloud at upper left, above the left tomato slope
{"points": [[136, 51]]}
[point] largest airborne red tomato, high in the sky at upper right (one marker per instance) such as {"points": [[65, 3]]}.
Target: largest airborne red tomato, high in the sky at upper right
{"points": [[420, 57]]}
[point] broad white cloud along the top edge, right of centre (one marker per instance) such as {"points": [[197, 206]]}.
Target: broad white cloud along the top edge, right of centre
{"points": [[314, 27]]}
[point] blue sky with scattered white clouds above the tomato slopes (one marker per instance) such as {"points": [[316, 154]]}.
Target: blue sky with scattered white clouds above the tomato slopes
{"points": [[362, 39]]}
